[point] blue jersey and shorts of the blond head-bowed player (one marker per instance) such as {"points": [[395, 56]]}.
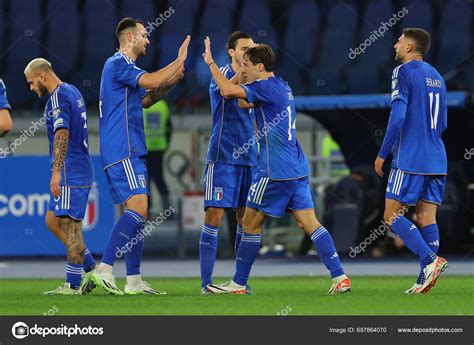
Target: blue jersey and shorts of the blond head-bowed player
{"points": [[66, 109]]}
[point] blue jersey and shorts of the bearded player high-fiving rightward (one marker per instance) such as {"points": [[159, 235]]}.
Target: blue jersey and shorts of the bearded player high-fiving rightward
{"points": [[122, 135]]}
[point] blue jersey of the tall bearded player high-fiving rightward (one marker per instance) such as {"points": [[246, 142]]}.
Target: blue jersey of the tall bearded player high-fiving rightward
{"points": [[122, 134]]}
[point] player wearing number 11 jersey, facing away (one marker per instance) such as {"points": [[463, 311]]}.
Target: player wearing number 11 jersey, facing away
{"points": [[419, 166]]}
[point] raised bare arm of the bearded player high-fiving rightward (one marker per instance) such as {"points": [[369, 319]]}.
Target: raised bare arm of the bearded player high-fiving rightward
{"points": [[161, 77]]}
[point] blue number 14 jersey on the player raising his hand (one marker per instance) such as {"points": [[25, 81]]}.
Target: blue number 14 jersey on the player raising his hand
{"points": [[281, 156]]}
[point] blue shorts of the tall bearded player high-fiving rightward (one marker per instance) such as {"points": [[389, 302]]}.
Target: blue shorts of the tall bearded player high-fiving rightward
{"points": [[127, 178]]}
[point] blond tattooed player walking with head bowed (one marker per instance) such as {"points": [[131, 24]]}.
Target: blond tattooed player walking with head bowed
{"points": [[72, 174]]}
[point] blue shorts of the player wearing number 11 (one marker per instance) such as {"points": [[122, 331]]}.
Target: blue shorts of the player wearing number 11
{"points": [[408, 188]]}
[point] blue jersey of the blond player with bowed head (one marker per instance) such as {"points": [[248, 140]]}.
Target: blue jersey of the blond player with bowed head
{"points": [[66, 109]]}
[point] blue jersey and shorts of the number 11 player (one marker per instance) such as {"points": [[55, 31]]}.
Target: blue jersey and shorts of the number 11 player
{"points": [[419, 164]]}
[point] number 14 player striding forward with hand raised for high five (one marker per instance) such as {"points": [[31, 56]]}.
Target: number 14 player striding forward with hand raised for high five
{"points": [[281, 182]]}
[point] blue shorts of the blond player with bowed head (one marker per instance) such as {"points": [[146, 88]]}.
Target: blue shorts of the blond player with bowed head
{"points": [[72, 202]]}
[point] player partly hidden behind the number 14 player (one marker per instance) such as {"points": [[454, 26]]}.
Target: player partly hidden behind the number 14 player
{"points": [[228, 171]]}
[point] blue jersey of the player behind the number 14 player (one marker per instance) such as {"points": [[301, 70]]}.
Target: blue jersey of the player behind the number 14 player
{"points": [[232, 128]]}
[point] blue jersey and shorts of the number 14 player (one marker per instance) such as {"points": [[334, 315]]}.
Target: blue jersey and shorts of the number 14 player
{"points": [[281, 181]]}
